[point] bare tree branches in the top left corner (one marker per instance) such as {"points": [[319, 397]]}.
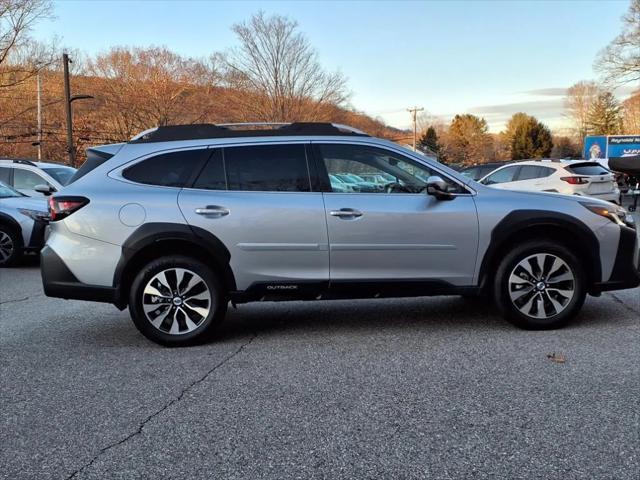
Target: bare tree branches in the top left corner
{"points": [[20, 56]]}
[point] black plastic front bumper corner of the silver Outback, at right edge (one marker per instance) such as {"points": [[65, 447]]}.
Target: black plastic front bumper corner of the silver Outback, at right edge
{"points": [[626, 269]]}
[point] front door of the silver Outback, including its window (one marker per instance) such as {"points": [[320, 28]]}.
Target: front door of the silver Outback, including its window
{"points": [[387, 227]]}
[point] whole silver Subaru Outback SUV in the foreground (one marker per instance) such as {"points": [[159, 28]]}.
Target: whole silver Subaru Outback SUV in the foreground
{"points": [[182, 220]]}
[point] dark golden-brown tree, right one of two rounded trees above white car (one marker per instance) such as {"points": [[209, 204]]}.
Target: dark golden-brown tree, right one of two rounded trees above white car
{"points": [[528, 137]]}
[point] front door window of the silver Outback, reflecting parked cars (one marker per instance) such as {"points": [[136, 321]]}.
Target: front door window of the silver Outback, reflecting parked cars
{"points": [[363, 169]]}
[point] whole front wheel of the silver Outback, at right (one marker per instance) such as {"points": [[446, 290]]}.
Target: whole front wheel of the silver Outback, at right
{"points": [[540, 285]]}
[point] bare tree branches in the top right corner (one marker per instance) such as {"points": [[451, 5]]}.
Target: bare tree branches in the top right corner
{"points": [[620, 60]]}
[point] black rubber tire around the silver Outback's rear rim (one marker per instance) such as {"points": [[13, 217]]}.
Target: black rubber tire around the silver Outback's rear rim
{"points": [[206, 326]]}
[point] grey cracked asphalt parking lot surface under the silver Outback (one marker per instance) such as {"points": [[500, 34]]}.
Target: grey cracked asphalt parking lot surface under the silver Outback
{"points": [[410, 388]]}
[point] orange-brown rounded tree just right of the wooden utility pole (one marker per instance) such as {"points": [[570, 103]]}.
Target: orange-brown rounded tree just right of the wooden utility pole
{"points": [[468, 140]]}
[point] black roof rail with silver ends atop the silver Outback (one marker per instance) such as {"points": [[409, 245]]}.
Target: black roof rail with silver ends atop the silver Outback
{"points": [[233, 130]]}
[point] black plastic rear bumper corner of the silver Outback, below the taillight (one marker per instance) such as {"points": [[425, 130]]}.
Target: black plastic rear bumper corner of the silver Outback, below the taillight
{"points": [[58, 281]]}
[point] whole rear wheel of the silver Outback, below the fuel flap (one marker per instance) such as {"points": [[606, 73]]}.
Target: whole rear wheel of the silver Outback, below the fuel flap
{"points": [[176, 301]]}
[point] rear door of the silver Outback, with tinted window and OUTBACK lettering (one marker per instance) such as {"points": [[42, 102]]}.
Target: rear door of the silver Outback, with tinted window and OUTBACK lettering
{"points": [[257, 199]]}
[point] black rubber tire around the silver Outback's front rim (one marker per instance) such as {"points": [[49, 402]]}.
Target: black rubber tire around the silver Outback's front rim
{"points": [[503, 289]]}
